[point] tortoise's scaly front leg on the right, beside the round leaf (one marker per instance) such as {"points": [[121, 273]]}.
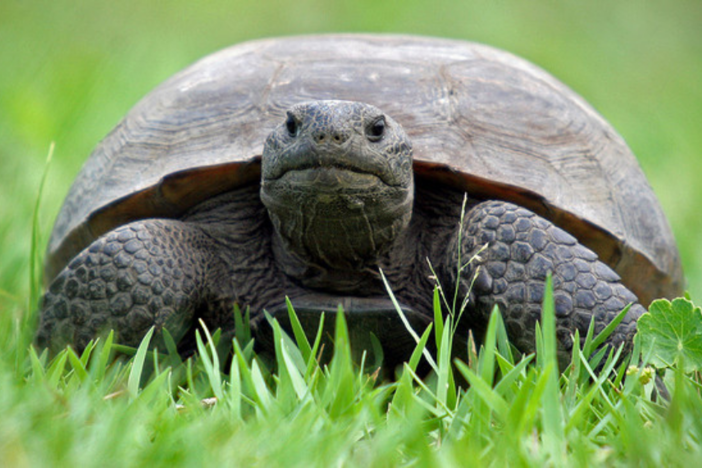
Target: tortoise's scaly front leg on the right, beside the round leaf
{"points": [[522, 248]]}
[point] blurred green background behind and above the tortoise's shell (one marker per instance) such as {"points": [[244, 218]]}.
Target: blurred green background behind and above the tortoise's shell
{"points": [[70, 69]]}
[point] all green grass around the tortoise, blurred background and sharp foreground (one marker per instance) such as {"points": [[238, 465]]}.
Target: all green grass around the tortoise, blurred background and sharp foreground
{"points": [[70, 69]]}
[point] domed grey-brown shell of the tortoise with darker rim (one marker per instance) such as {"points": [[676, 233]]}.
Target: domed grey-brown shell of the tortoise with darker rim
{"points": [[479, 118]]}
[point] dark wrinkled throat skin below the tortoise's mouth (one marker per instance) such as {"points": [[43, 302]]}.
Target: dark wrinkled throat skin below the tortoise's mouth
{"points": [[338, 243]]}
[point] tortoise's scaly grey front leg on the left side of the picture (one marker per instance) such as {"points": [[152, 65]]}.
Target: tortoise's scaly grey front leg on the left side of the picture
{"points": [[147, 273]]}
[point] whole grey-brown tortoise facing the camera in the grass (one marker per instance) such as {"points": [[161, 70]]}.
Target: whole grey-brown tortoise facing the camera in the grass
{"points": [[301, 167]]}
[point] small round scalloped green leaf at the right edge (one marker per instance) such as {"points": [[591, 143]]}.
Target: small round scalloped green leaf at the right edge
{"points": [[671, 333]]}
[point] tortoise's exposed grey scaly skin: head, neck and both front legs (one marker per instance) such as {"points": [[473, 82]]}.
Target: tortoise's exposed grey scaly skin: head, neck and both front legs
{"points": [[353, 214]]}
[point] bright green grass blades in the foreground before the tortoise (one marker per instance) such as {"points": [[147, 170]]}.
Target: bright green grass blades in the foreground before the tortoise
{"points": [[93, 410]]}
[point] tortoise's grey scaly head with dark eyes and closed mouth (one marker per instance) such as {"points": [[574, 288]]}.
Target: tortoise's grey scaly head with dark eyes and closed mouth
{"points": [[337, 182]]}
